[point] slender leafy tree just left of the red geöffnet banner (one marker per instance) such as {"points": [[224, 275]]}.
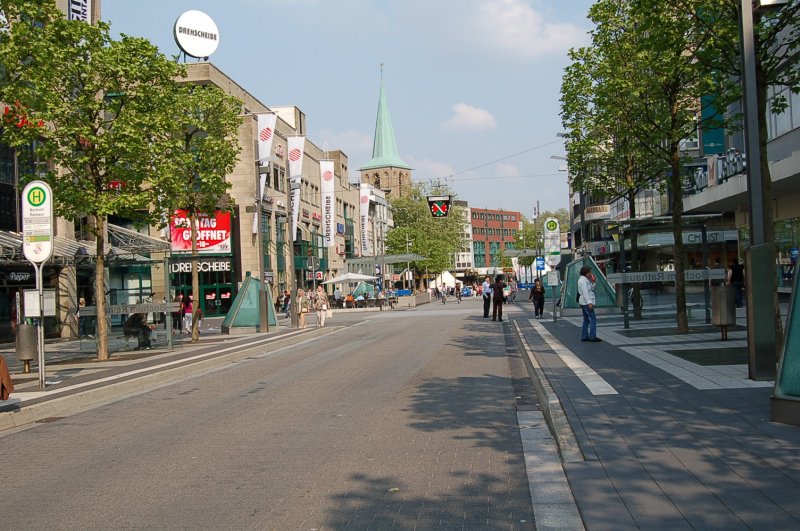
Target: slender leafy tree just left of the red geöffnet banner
{"points": [[204, 149]]}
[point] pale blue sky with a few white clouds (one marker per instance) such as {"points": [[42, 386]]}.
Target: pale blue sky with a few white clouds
{"points": [[472, 85]]}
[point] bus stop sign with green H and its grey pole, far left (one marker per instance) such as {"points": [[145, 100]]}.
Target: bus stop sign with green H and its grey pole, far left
{"points": [[37, 246]]}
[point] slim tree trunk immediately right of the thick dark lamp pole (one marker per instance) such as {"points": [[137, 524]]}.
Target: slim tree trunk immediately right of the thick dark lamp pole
{"points": [[767, 199]]}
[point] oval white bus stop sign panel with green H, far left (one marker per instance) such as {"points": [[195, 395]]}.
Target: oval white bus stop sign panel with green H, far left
{"points": [[37, 222]]}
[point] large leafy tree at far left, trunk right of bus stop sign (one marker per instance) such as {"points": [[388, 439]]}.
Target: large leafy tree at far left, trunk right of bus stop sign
{"points": [[104, 106]]}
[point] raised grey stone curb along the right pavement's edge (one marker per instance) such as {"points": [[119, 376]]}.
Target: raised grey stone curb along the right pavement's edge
{"points": [[550, 405]]}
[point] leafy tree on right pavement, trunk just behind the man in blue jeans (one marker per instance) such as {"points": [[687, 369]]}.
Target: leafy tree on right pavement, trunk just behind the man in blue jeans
{"points": [[644, 49]]}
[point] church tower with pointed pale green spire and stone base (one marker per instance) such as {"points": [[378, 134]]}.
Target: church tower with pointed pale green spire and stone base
{"points": [[386, 170]]}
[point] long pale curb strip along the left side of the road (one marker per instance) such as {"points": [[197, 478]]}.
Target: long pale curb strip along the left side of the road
{"points": [[111, 392]]}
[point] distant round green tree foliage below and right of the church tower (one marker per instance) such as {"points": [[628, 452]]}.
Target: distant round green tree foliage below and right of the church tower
{"points": [[437, 239]]}
